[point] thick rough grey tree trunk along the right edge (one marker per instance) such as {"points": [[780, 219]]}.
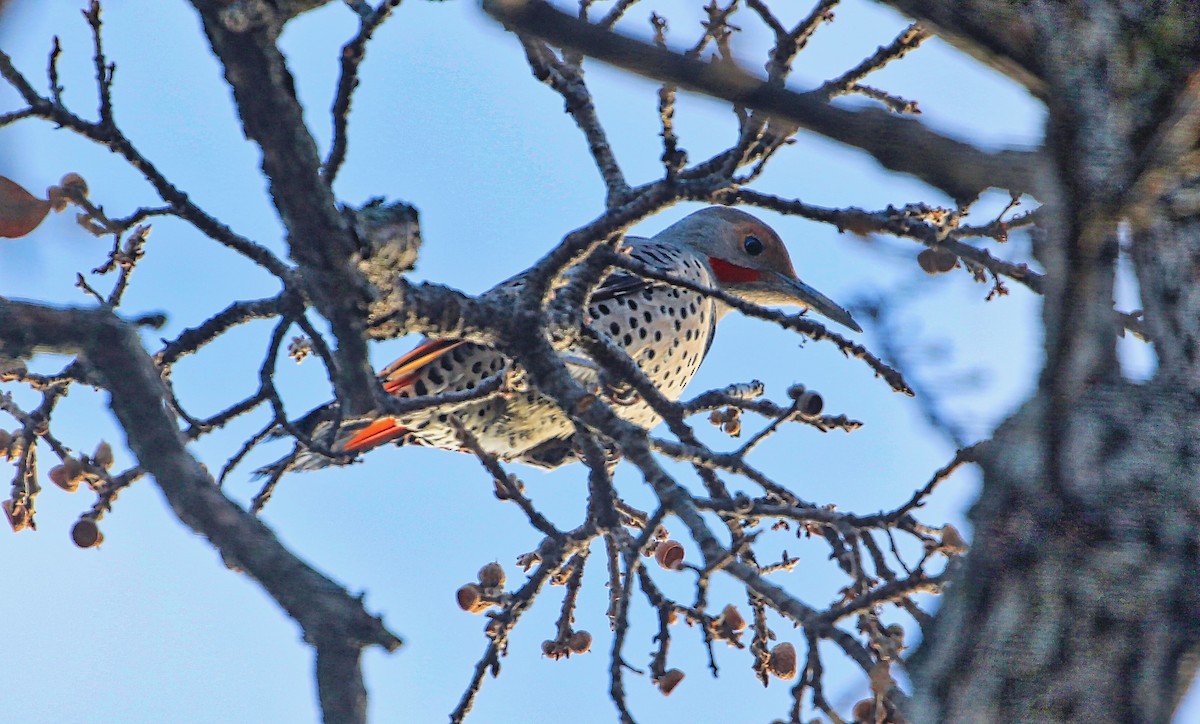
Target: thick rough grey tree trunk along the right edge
{"points": [[1081, 601]]}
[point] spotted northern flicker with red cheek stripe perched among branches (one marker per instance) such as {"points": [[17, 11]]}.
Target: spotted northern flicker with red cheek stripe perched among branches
{"points": [[665, 330]]}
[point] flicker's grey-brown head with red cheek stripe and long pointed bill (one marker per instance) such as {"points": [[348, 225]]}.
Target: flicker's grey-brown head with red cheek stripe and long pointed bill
{"points": [[751, 262]]}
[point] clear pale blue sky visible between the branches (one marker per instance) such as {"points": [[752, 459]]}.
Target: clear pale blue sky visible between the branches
{"points": [[152, 627]]}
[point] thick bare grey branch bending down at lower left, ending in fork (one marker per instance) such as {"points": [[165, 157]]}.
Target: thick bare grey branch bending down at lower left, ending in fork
{"points": [[334, 623]]}
